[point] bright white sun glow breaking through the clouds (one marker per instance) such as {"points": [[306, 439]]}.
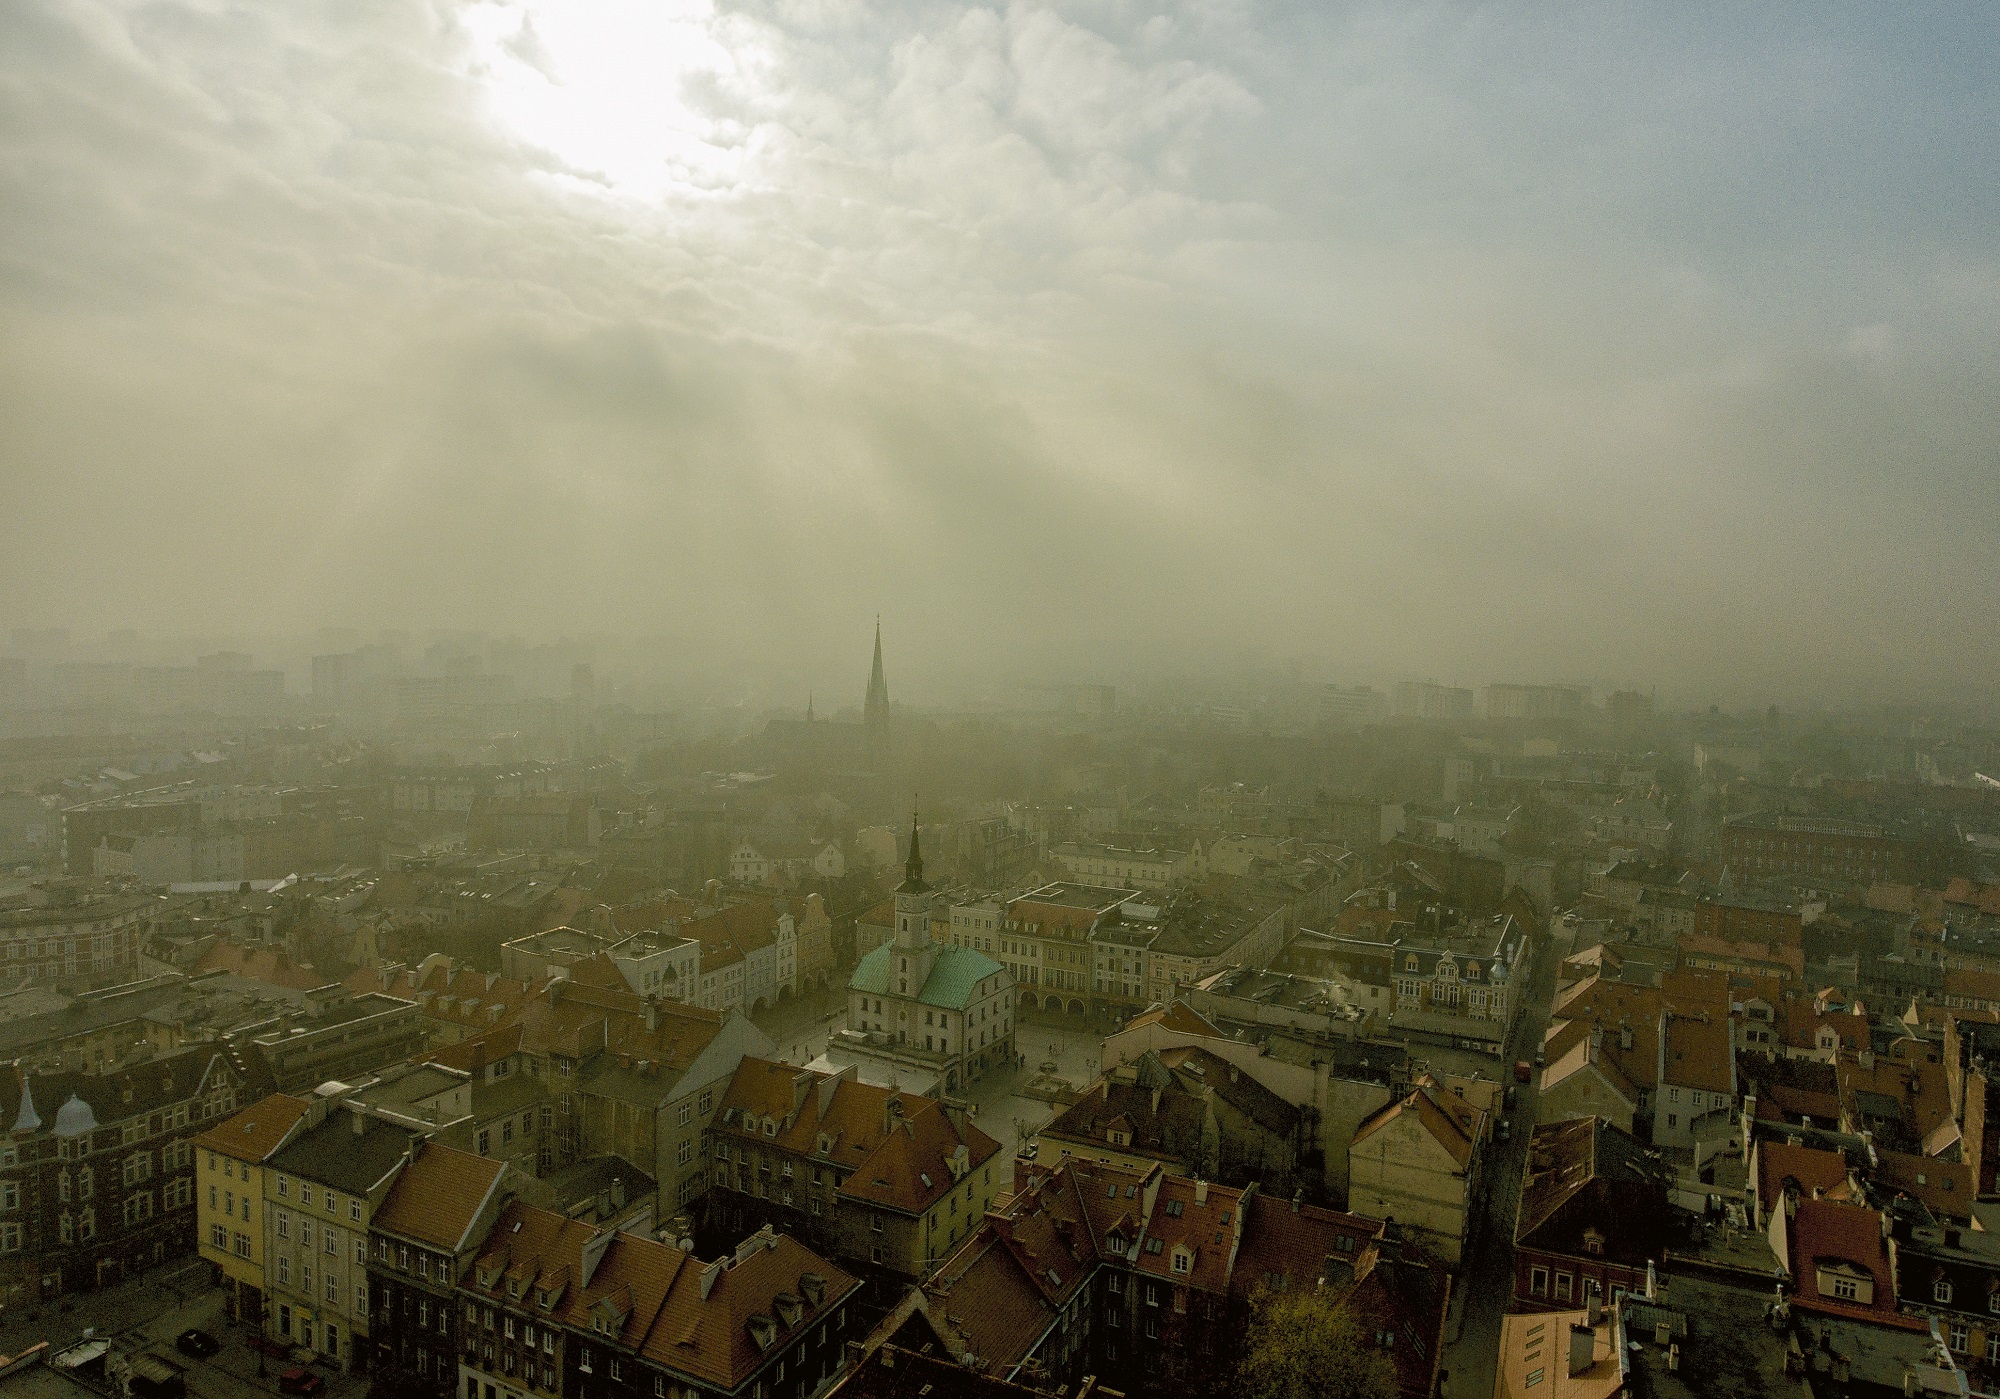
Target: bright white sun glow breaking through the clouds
{"points": [[607, 87]]}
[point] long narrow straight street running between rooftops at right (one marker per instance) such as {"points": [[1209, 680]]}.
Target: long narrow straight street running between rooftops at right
{"points": [[1487, 1282]]}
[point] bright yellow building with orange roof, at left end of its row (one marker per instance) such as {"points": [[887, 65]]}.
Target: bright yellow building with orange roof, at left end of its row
{"points": [[229, 1192]]}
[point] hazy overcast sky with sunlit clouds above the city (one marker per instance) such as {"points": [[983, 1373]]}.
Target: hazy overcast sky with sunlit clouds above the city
{"points": [[1483, 343]]}
